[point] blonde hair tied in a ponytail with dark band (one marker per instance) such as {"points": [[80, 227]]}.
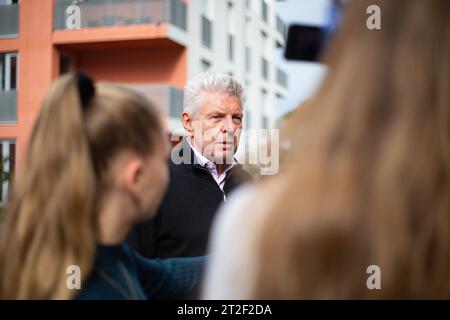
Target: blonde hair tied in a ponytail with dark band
{"points": [[50, 221]]}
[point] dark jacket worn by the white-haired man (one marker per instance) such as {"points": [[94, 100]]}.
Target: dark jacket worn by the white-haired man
{"points": [[183, 221]]}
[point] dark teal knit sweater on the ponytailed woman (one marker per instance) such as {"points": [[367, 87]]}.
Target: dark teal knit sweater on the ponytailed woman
{"points": [[121, 273]]}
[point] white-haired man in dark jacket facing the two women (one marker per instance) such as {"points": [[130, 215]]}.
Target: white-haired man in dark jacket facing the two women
{"points": [[203, 170]]}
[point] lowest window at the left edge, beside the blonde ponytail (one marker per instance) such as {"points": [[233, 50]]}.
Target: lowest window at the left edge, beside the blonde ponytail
{"points": [[7, 168]]}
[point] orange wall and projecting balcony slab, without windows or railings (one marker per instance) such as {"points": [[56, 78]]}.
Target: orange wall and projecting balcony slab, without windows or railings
{"points": [[125, 54]]}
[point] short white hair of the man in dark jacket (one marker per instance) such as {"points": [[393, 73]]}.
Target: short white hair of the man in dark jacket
{"points": [[210, 82]]}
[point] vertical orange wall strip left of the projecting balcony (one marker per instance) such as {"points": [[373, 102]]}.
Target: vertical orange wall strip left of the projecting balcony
{"points": [[37, 67]]}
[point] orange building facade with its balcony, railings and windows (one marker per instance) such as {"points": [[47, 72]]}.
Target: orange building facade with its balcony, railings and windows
{"points": [[125, 41]]}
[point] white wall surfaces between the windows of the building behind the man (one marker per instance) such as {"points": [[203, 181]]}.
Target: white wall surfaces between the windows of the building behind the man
{"points": [[246, 35]]}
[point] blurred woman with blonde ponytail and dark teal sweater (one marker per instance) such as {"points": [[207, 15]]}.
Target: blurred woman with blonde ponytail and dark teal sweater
{"points": [[95, 165]]}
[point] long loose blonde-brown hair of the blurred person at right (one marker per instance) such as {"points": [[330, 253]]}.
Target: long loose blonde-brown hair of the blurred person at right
{"points": [[371, 181]]}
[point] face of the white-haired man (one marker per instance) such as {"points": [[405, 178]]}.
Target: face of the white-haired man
{"points": [[216, 126]]}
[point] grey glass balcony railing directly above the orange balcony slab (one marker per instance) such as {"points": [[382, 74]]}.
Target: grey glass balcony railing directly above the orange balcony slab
{"points": [[107, 13]]}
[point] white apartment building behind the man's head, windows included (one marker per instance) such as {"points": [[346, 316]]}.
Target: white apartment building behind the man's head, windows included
{"points": [[239, 37]]}
